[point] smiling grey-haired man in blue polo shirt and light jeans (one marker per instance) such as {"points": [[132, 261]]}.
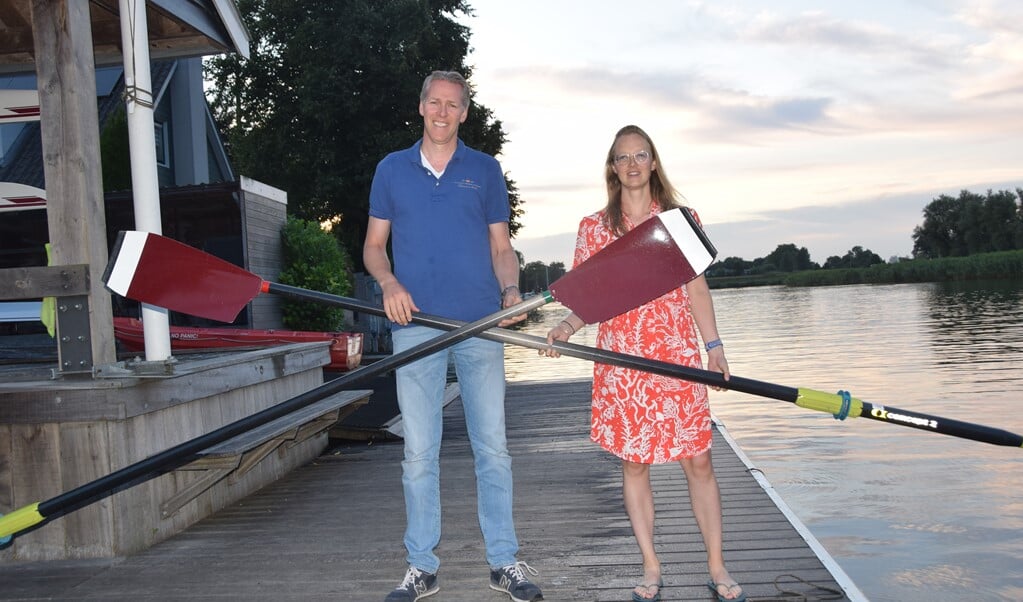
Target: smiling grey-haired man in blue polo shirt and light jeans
{"points": [[446, 209]]}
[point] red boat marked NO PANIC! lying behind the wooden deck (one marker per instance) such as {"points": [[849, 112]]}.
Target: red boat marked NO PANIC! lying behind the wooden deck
{"points": [[346, 349]]}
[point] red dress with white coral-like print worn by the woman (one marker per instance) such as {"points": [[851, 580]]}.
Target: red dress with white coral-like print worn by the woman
{"points": [[638, 416]]}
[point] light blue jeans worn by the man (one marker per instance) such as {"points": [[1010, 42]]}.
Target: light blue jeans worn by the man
{"points": [[480, 368]]}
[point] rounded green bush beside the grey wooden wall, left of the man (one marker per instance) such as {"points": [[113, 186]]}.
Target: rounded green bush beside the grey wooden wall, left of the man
{"points": [[314, 260]]}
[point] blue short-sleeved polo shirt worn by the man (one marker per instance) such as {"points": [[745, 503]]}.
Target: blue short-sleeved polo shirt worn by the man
{"points": [[440, 236]]}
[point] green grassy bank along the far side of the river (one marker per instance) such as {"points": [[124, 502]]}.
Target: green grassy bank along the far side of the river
{"points": [[1002, 266]]}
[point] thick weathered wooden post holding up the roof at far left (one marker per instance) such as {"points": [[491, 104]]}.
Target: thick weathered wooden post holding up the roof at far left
{"points": [[70, 125]]}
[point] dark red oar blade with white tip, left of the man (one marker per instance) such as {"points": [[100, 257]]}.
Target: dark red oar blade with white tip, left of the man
{"points": [[162, 272]]}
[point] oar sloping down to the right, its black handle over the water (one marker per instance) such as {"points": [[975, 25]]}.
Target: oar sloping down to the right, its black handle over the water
{"points": [[236, 287]]}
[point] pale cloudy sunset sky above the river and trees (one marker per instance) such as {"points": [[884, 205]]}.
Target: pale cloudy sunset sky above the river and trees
{"points": [[828, 124]]}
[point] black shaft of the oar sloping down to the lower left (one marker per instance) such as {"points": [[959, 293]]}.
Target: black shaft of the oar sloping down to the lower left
{"points": [[174, 456]]}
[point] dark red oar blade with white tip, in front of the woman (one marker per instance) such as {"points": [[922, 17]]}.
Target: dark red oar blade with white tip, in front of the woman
{"points": [[659, 255]]}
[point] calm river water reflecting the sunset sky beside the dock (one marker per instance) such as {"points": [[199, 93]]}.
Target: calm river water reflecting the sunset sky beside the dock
{"points": [[908, 514]]}
